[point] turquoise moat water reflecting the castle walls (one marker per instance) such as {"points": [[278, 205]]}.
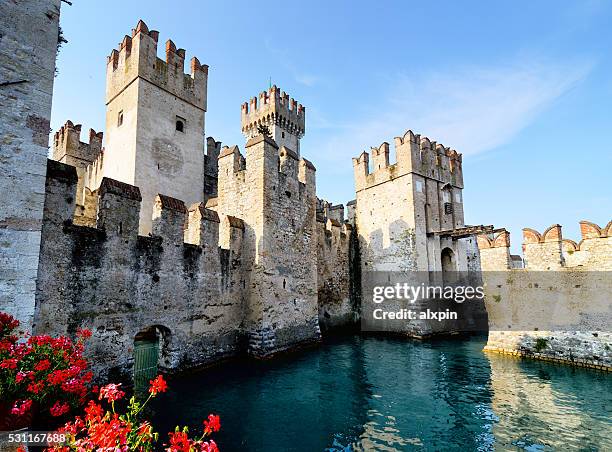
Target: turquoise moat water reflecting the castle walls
{"points": [[389, 394]]}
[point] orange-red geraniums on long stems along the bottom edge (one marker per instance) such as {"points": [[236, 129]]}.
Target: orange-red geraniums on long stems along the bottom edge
{"points": [[108, 430]]}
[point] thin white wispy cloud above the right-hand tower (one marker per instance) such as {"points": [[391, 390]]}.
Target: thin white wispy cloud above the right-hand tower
{"points": [[472, 109]]}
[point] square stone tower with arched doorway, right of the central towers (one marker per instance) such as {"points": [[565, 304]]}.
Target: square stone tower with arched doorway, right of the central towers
{"points": [[410, 224]]}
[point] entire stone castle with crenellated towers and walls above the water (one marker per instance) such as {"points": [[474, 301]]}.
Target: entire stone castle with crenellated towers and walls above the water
{"points": [[152, 234]]}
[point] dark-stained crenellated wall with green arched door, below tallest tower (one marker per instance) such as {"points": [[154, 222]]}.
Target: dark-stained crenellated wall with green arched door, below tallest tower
{"points": [[109, 279]]}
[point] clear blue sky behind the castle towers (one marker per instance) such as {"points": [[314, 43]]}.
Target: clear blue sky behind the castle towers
{"points": [[522, 89]]}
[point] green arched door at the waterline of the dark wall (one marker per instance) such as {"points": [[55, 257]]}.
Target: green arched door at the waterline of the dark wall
{"points": [[150, 348]]}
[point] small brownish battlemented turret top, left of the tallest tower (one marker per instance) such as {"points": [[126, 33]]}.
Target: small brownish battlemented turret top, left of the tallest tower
{"points": [[68, 147]]}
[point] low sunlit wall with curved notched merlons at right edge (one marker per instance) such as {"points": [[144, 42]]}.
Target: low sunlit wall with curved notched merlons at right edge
{"points": [[557, 308]]}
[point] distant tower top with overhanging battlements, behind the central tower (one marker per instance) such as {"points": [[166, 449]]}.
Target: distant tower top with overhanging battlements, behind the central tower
{"points": [[284, 117]]}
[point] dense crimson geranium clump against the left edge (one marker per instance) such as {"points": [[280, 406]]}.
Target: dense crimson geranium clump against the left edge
{"points": [[42, 370]]}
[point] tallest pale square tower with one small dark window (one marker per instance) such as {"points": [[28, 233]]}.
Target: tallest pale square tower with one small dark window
{"points": [[155, 121]]}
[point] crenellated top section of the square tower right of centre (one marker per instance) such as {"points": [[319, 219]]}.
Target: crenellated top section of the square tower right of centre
{"points": [[414, 154]]}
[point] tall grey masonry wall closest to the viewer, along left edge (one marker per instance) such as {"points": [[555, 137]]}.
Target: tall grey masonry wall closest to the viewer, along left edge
{"points": [[29, 35]]}
